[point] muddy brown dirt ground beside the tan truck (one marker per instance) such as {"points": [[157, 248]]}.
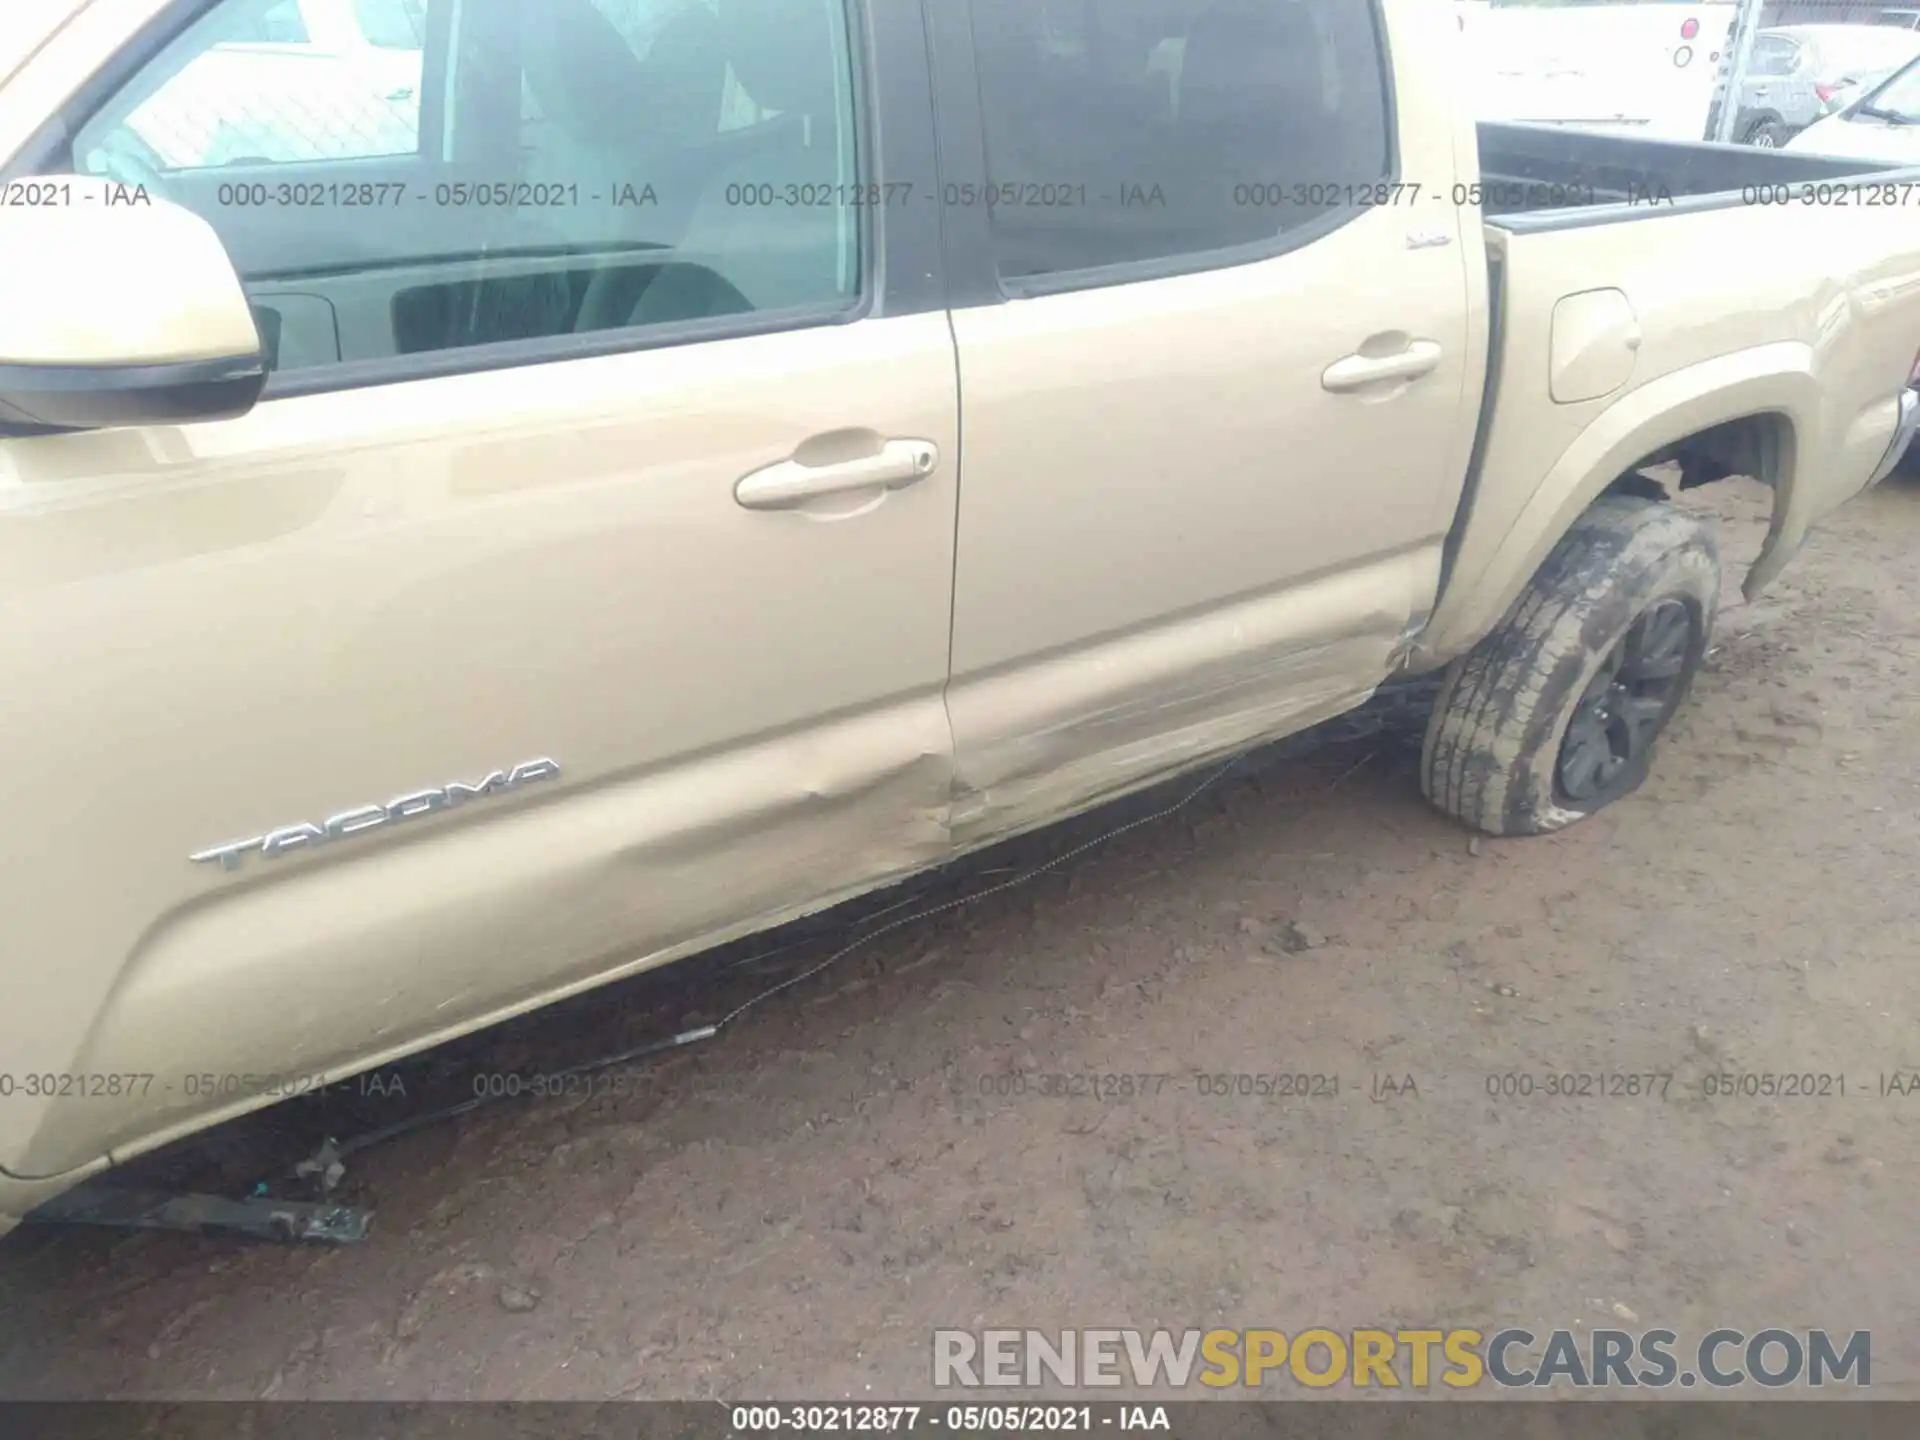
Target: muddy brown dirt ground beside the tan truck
{"points": [[794, 1207]]}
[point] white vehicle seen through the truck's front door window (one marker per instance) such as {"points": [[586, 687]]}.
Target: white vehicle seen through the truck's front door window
{"points": [[287, 82]]}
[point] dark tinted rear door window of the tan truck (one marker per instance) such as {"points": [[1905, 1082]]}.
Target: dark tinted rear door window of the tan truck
{"points": [[1143, 130]]}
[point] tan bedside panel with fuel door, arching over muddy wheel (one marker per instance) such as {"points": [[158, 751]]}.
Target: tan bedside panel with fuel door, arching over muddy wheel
{"points": [[1742, 364]]}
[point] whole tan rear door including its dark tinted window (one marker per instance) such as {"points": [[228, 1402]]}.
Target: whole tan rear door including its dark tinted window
{"points": [[1216, 352]]}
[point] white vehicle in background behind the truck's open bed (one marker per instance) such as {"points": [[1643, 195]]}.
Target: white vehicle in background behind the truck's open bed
{"points": [[1639, 66]]}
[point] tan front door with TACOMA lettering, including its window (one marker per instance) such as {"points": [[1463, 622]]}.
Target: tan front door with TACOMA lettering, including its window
{"points": [[598, 608]]}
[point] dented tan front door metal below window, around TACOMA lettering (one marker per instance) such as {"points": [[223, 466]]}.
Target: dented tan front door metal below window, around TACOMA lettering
{"points": [[746, 711]]}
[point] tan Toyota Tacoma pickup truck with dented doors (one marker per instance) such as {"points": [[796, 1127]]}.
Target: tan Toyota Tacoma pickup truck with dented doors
{"points": [[748, 452]]}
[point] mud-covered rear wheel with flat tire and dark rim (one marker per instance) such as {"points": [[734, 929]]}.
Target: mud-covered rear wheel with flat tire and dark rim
{"points": [[1500, 727]]}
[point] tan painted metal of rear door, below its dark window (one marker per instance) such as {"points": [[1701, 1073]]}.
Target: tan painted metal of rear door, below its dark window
{"points": [[1205, 510]]}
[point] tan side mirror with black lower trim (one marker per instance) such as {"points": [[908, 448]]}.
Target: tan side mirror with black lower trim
{"points": [[118, 308]]}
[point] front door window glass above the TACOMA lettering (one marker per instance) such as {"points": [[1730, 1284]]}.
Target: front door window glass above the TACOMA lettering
{"points": [[600, 164]]}
